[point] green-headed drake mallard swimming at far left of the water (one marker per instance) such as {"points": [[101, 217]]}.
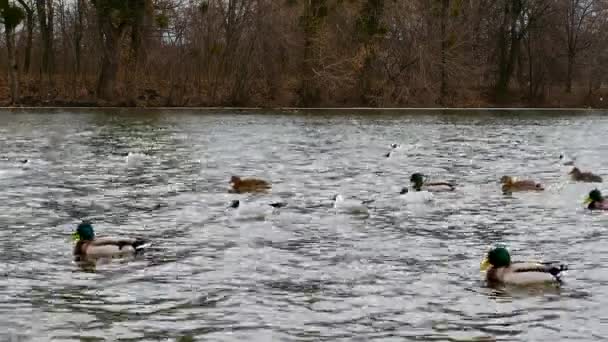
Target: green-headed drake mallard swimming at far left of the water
{"points": [[88, 246]]}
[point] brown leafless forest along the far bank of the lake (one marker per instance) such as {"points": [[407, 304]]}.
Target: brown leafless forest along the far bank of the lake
{"points": [[269, 53]]}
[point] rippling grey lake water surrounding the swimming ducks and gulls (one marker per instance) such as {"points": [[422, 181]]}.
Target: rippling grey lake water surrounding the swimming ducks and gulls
{"points": [[307, 273]]}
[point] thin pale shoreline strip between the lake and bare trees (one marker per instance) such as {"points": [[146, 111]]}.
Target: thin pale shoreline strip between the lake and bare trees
{"points": [[308, 108]]}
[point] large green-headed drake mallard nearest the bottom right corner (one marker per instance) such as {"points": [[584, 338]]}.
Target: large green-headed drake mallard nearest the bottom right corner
{"points": [[500, 269]]}
